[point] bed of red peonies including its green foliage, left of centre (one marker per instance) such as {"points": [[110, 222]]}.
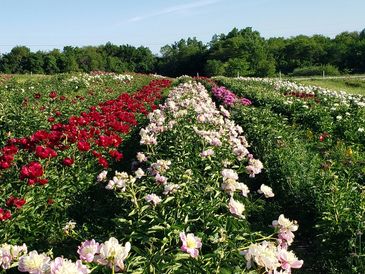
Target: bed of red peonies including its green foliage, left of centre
{"points": [[40, 173]]}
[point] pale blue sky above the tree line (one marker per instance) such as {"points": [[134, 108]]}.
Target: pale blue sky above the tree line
{"points": [[48, 24]]}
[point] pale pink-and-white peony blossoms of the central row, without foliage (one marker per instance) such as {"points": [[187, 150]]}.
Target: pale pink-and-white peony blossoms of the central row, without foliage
{"points": [[191, 102]]}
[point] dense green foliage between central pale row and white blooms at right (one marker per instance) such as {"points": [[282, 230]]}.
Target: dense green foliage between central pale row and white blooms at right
{"points": [[318, 177]]}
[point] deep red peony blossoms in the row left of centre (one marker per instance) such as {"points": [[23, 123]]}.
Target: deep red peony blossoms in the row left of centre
{"points": [[99, 128]]}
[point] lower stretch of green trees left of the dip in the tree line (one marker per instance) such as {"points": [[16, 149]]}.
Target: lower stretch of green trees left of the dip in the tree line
{"points": [[107, 58]]}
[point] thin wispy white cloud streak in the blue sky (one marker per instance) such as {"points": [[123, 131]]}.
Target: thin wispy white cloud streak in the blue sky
{"points": [[174, 9]]}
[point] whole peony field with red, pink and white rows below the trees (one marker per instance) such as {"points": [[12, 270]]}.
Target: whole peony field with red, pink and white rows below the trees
{"points": [[111, 173]]}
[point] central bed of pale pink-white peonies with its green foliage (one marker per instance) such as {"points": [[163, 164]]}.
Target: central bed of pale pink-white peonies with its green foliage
{"points": [[193, 191]]}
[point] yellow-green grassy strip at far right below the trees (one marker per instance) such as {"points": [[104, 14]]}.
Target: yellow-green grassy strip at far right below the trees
{"points": [[350, 85]]}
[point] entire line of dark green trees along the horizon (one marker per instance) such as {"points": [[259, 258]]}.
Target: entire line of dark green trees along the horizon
{"points": [[240, 52]]}
